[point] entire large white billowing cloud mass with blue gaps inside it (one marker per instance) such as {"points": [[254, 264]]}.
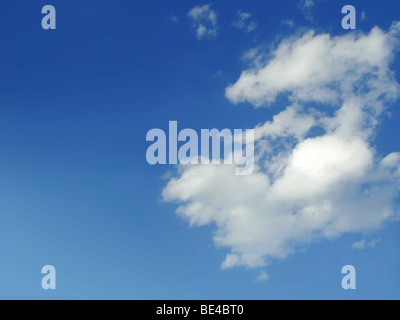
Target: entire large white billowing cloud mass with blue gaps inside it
{"points": [[317, 173]]}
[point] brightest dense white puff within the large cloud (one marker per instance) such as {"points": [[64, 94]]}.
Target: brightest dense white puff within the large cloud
{"points": [[323, 162]]}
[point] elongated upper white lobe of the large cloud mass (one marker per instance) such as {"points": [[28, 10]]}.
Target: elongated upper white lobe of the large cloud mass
{"points": [[312, 67]]}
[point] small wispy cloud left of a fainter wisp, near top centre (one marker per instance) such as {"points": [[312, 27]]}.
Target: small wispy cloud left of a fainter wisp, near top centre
{"points": [[204, 20]]}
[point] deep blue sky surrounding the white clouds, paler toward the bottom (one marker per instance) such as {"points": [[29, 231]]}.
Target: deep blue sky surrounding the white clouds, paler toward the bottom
{"points": [[76, 190]]}
